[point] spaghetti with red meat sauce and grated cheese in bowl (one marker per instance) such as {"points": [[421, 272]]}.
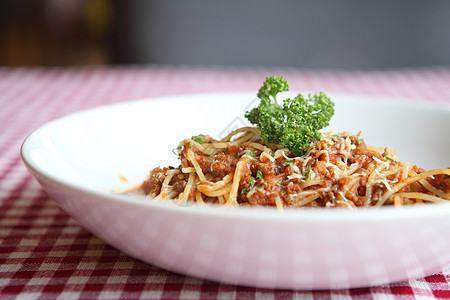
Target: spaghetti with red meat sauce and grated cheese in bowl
{"points": [[338, 171]]}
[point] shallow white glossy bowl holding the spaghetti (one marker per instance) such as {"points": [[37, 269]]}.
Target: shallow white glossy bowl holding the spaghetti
{"points": [[78, 159]]}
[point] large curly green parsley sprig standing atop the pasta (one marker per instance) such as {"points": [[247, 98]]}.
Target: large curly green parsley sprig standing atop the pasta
{"points": [[296, 122]]}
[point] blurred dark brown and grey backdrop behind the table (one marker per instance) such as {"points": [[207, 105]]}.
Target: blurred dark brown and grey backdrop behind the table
{"points": [[346, 34]]}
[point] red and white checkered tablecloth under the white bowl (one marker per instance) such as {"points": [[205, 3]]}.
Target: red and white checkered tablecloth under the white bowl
{"points": [[44, 254]]}
